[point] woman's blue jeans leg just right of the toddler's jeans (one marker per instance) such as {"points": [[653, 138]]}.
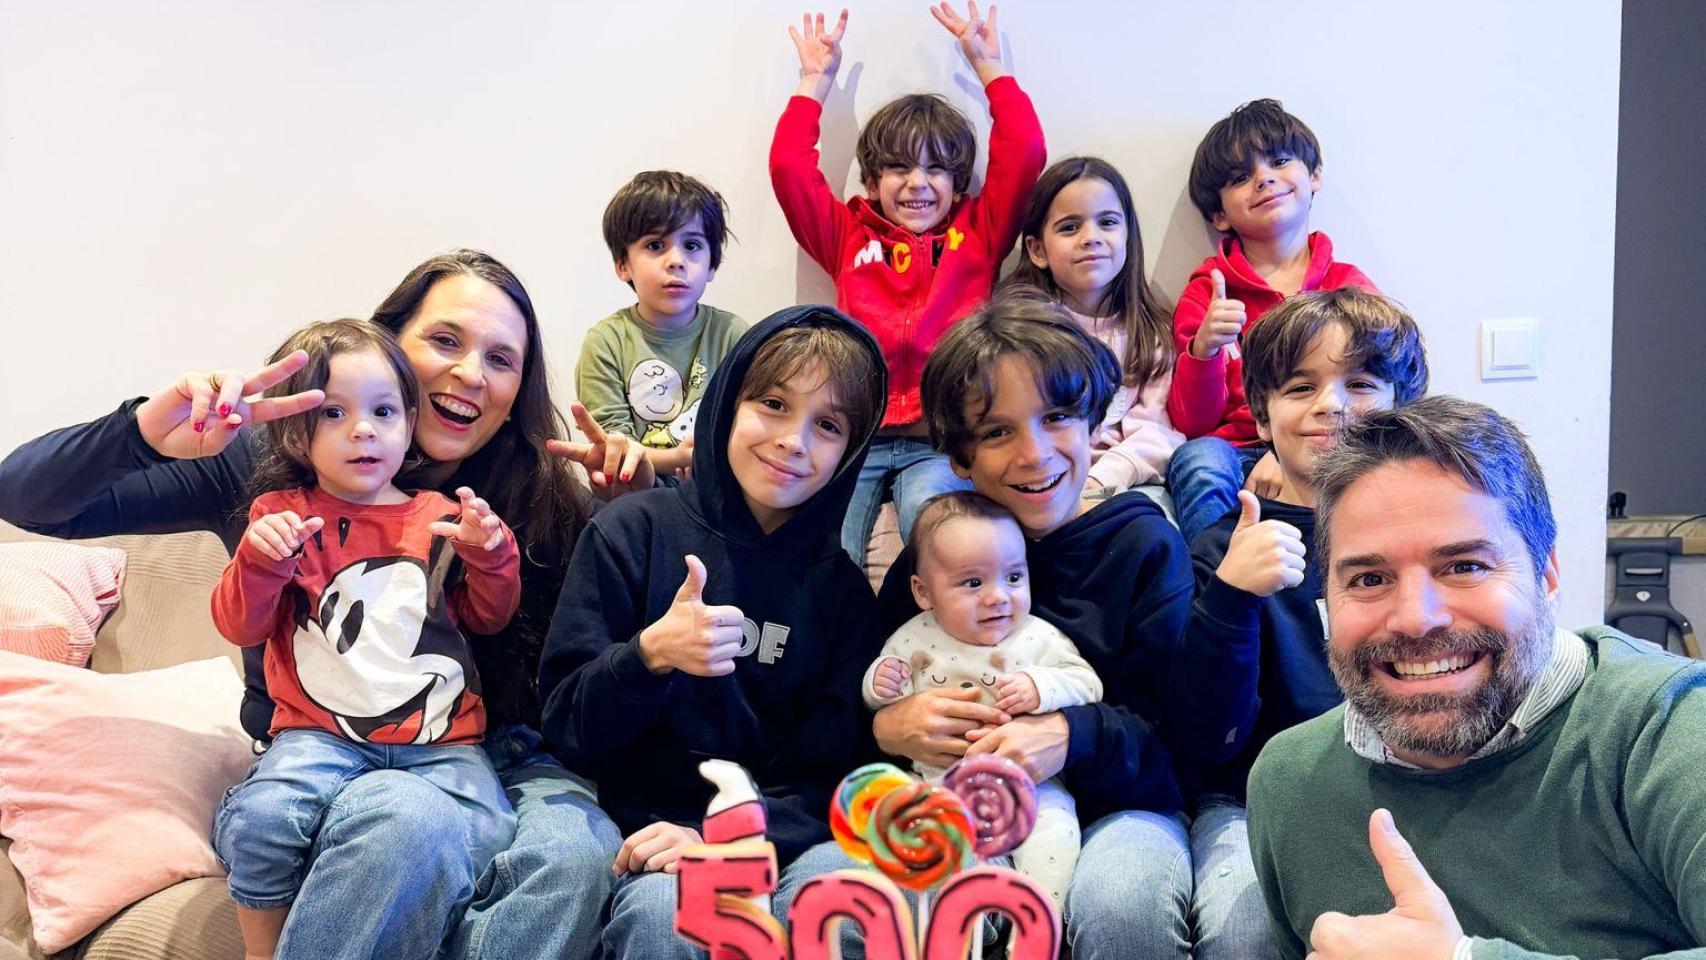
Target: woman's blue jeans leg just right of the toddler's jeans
{"points": [[545, 894]]}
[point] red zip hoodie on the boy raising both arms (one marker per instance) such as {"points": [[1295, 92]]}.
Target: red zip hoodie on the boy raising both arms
{"points": [[905, 287]]}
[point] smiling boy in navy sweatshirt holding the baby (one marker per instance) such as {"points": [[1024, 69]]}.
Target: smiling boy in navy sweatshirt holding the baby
{"points": [[1013, 395]]}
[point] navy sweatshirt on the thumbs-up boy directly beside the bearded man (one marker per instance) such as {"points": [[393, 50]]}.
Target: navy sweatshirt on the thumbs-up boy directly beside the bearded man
{"points": [[1253, 666]]}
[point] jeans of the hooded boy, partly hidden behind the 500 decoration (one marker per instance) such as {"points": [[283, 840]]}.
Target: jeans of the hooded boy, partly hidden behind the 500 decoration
{"points": [[642, 925]]}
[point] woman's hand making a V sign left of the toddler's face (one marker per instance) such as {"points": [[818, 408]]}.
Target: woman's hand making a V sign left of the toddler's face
{"points": [[199, 415]]}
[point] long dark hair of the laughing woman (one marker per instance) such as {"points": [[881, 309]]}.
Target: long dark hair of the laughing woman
{"points": [[535, 492]]}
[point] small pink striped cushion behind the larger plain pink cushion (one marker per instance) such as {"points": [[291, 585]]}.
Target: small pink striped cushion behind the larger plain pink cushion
{"points": [[55, 596]]}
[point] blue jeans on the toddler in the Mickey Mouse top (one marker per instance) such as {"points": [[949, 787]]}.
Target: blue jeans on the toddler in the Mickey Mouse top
{"points": [[270, 826]]}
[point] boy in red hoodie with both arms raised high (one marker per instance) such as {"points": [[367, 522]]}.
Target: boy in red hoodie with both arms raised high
{"points": [[915, 253]]}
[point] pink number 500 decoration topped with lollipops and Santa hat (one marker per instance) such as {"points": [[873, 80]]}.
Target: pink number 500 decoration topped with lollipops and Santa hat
{"points": [[914, 833]]}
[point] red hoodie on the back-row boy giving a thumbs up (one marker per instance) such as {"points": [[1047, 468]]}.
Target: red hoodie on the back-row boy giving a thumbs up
{"points": [[1207, 396]]}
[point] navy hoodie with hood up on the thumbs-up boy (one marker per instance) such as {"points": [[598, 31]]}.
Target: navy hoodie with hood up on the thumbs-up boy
{"points": [[791, 712]]}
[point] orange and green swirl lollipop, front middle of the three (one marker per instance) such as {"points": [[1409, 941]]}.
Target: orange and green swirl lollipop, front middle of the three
{"points": [[920, 835]]}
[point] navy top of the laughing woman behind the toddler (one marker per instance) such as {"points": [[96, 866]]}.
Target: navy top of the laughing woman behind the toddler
{"points": [[102, 478]]}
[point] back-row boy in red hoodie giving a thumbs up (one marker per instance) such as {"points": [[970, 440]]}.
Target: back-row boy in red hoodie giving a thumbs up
{"points": [[1255, 178]]}
